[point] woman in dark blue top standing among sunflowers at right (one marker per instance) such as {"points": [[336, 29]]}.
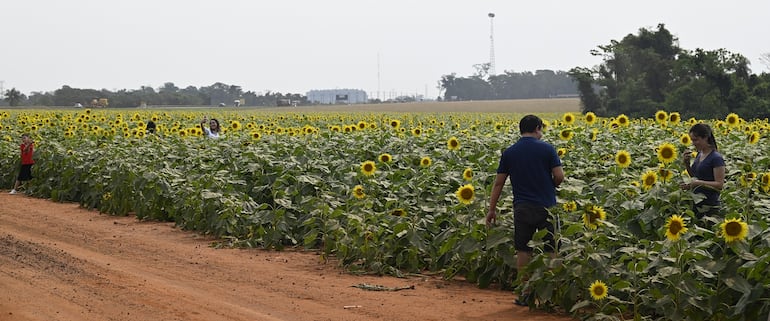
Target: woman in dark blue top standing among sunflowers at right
{"points": [[707, 170]]}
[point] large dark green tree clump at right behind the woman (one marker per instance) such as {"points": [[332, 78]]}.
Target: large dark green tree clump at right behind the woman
{"points": [[648, 71]]}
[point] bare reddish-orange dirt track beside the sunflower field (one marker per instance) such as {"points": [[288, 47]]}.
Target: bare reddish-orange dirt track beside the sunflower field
{"points": [[62, 262]]}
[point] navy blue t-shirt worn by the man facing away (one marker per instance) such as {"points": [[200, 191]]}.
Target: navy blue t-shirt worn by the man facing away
{"points": [[528, 163]]}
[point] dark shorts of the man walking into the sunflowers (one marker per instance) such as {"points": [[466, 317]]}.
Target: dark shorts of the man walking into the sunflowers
{"points": [[528, 219]]}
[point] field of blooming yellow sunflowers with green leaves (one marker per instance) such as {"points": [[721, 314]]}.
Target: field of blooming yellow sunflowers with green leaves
{"points": [[402, 193]]}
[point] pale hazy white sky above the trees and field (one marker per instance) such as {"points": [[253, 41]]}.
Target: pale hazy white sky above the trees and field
{"points": [[396, 46]]}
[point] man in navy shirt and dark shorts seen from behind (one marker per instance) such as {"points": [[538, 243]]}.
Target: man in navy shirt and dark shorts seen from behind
{"points": [[535, 171]]}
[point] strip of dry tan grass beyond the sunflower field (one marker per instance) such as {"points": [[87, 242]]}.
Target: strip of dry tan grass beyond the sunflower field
{"points": [[557, 105]]}
